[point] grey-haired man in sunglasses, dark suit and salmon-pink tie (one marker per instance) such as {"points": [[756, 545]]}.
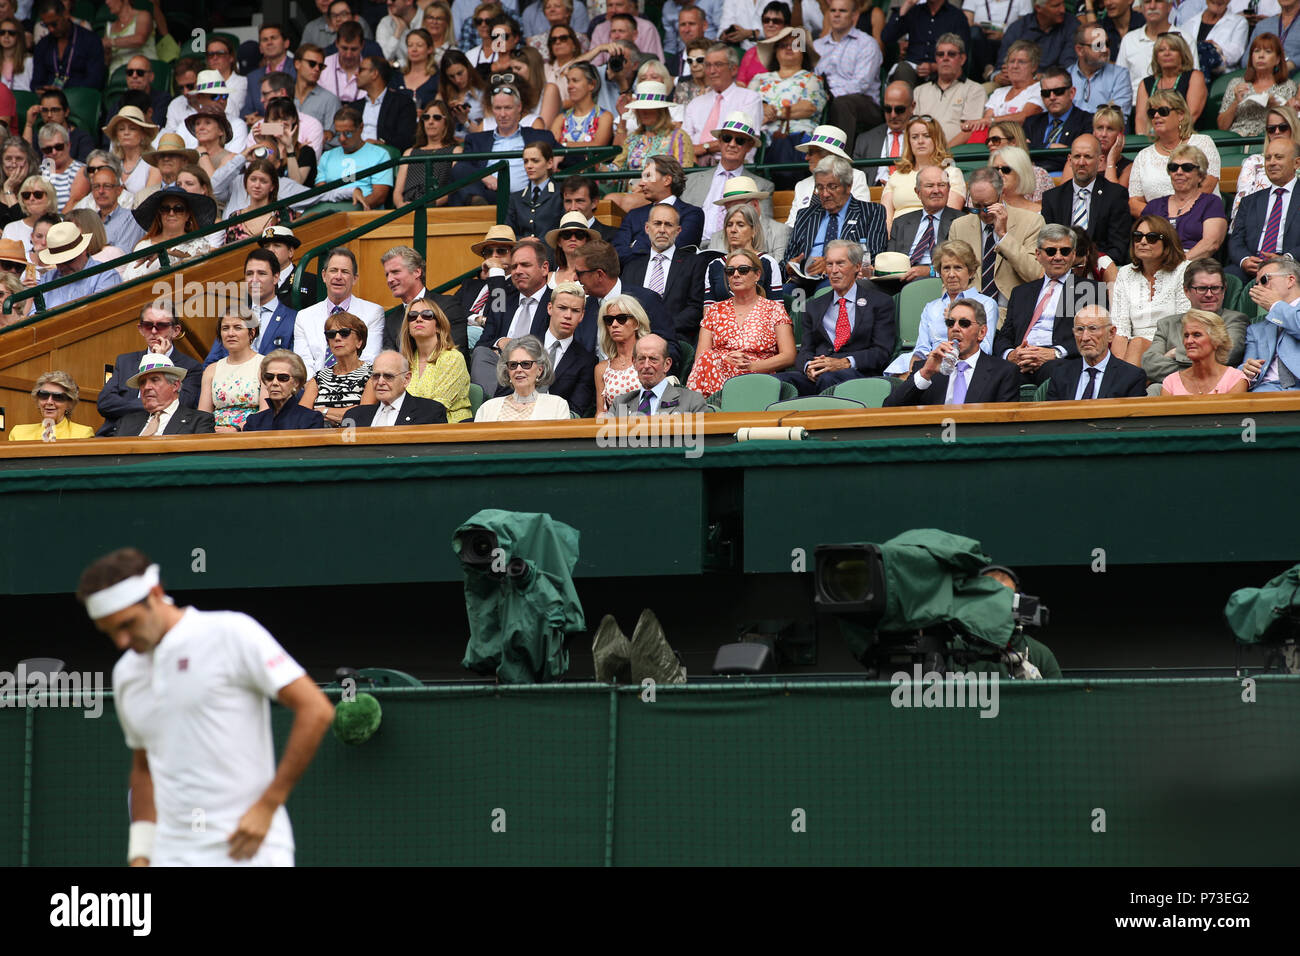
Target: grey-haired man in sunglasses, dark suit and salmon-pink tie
{"points": [[1039, 326]]}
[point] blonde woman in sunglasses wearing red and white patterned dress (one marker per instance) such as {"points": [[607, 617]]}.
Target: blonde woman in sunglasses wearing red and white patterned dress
{"points": [[744, 334]]}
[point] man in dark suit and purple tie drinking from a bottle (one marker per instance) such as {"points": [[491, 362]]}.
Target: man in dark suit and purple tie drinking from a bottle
{"points": [[977, 378]]}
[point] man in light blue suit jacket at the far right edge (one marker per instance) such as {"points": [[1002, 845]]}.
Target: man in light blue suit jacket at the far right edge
{"points": [[1273, 344]]}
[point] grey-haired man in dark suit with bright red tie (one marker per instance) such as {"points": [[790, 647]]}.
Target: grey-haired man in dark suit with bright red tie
{"points": [[847, 335]]}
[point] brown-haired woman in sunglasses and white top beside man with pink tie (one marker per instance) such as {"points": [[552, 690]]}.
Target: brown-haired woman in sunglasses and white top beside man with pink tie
{"points": [[1150, 288]]}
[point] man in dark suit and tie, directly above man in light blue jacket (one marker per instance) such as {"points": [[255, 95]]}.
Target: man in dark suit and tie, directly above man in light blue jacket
{"points": [[1256, 237]]}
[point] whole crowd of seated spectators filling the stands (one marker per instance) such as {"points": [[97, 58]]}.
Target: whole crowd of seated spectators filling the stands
{"points": [[1061, 262]]}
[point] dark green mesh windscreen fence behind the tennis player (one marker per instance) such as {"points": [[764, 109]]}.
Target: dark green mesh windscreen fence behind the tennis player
{"points": [[1185, 772]]}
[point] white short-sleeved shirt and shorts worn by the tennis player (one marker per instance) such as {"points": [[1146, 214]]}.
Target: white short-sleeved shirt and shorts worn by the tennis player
{"points": [[200, 707]]}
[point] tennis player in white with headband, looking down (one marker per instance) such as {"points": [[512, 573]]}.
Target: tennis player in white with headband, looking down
{"points": [[193, 697]]}
